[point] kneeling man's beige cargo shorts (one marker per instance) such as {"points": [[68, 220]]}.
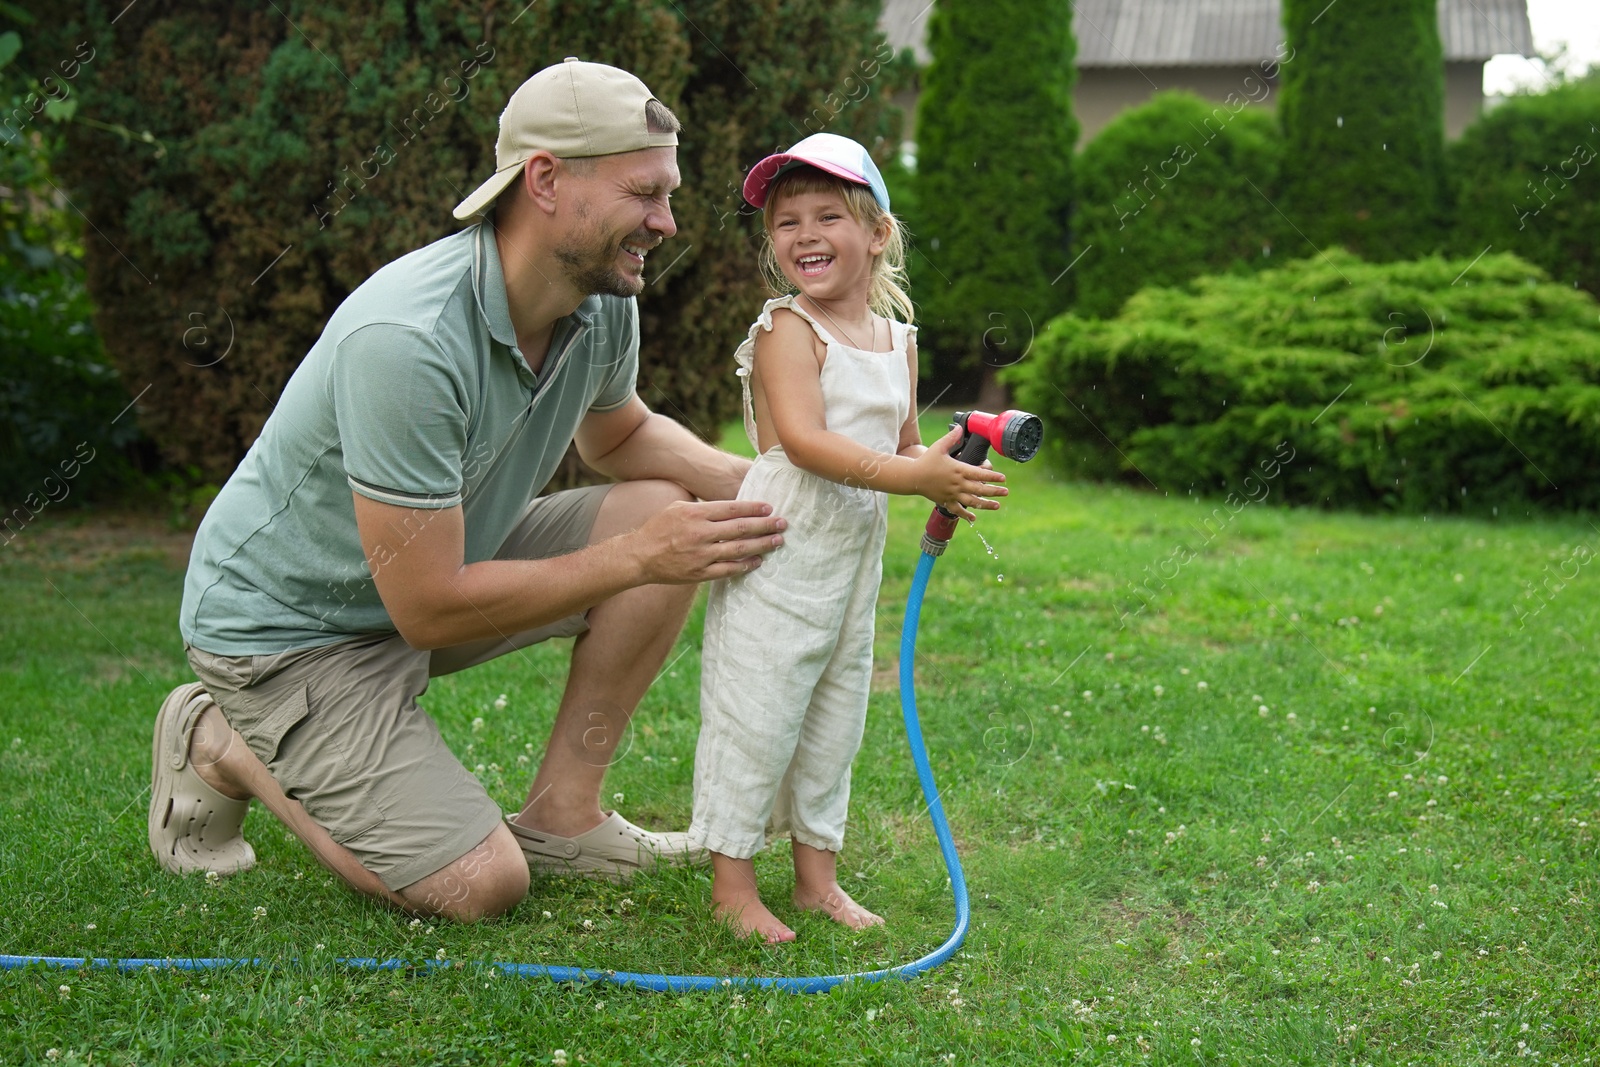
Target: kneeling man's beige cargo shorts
{"points": [[340, 729]]}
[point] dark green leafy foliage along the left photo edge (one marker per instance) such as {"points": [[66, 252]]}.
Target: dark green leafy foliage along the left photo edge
{"points": [[60, 398]]}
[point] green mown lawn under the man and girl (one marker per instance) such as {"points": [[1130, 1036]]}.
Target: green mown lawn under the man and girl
{"points": [[1330, 799]]}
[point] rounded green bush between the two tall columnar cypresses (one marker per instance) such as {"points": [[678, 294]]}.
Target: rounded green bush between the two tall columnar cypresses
{"points": [[1172, 190]]}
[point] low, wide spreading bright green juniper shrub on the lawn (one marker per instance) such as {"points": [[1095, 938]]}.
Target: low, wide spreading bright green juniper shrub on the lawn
{"points": [[1438, 385]]}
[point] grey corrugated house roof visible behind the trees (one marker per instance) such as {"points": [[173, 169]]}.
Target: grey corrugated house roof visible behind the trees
{"points": [[1223, 33]]}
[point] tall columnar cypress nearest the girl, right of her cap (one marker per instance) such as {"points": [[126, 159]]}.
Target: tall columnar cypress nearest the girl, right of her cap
{"points": [[994, 178]]}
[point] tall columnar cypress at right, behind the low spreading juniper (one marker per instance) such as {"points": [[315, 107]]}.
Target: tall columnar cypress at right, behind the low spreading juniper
{"points": [[1364, 121]]}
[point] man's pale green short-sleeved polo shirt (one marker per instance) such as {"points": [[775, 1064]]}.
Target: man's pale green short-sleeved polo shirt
{"points": [[415, 396]]}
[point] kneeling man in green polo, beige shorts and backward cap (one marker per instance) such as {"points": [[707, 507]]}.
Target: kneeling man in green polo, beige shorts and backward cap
{"points": [[380, 532]]}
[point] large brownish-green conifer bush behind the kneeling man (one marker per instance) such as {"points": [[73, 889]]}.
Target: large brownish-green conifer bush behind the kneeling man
{"points": [[295, 150]]}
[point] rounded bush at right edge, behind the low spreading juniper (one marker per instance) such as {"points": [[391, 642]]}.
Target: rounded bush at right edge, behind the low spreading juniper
{"points": [[1527, 180]]}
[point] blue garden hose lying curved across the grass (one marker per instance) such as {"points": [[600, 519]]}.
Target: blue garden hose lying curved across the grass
{"points": [[670, 983]]}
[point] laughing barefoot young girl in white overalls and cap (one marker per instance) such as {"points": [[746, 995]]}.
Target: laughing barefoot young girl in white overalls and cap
{"points": [[831, 406]]}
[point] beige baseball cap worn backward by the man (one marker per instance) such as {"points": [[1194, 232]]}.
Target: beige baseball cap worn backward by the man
{"points": [[570, 110]]}
